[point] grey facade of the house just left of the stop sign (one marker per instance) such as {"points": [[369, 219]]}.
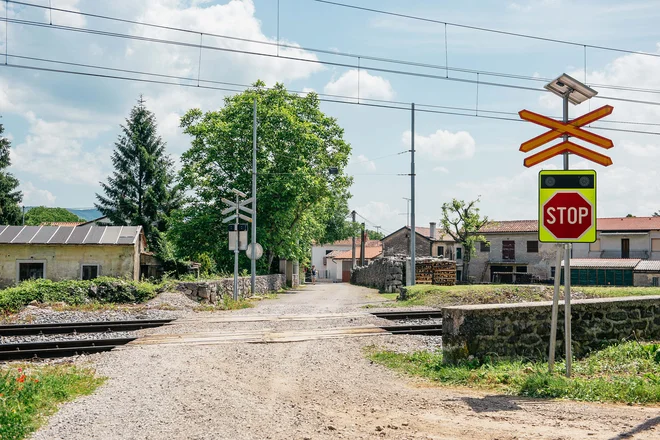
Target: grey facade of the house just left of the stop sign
{"points": [[538, 263]]}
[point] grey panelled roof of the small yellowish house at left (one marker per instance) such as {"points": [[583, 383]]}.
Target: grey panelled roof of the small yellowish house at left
{"points": [[123, 235]]}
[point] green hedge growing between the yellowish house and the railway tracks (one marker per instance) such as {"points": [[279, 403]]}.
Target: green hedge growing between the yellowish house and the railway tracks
{"points": [[75, 292]]}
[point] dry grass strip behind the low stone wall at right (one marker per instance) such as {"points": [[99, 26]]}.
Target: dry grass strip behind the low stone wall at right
{"points": [[438, 296]]}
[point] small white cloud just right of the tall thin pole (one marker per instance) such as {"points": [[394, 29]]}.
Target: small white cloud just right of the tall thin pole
{"points": [[443, 144]]}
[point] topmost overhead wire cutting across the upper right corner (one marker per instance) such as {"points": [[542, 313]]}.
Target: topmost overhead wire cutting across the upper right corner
{"points": [[483, 29]]}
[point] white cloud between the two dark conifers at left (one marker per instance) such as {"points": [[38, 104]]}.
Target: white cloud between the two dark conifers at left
{"points": [[54, 151]]}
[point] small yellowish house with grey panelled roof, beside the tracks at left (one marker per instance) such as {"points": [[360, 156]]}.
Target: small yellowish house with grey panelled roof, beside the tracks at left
{"points": [[62, 252]]}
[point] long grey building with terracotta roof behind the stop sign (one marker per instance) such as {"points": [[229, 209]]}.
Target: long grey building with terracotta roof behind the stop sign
{"points": [[513, 248]]}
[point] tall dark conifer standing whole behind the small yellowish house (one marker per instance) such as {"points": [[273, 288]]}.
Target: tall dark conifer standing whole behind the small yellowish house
{"points": [[141, 190]]}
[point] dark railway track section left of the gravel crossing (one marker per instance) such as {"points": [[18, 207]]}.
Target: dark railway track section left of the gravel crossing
{"points": [[64, 348]]}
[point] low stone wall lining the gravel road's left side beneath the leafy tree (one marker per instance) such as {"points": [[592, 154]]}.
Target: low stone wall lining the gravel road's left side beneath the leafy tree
{"points": [[213, 291]]}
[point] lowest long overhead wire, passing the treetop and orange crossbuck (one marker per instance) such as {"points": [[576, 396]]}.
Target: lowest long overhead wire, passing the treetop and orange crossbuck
{"points": [[227, 89]]}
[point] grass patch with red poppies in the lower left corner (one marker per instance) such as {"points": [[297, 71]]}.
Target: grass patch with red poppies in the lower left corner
{"points": [[28, 394]]}
